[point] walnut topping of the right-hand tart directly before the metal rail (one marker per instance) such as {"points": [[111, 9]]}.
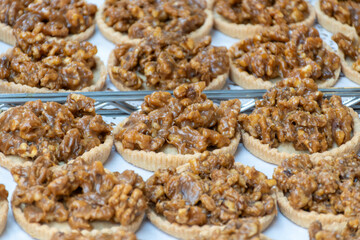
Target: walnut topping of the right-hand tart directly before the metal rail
{"points": [[294, 111]]}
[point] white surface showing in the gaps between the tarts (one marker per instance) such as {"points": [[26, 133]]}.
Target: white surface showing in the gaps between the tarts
{"points": [[280, 229]]}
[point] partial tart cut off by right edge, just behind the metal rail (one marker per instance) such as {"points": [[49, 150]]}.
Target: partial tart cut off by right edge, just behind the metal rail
{"points": [[348, 50]]}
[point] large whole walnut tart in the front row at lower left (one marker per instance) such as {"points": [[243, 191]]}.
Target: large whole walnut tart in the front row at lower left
{"points": [[77, 197]]}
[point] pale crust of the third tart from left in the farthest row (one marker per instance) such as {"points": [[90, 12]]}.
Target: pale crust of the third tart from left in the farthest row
{"points": [[242, 31]]}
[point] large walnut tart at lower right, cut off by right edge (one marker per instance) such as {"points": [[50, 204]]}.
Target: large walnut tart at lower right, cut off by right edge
{"points": [[326, 191]]}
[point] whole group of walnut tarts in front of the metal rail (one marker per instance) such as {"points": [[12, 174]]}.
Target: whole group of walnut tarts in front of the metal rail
{"points": [[55, 153]]}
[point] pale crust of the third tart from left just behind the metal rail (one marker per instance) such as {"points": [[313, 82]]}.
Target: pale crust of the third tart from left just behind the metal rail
{"points": [[249, 81]]}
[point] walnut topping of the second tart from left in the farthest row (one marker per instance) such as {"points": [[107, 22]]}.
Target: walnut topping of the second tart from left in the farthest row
{"points": [[136, 17]]}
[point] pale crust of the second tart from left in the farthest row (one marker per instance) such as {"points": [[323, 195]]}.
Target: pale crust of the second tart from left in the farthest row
{"points": [[118, 37]]}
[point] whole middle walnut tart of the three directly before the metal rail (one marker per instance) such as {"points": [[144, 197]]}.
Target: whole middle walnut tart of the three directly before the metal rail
{"points": [[170, 131]]}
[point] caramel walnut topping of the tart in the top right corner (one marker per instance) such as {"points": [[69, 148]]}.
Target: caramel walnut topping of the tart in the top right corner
{"points": [[344, 11]]}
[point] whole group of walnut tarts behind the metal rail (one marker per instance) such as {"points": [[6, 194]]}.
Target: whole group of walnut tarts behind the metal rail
{"points": [[159, 50]]}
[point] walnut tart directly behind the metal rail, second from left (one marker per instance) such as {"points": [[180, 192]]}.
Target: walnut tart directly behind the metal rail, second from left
{"points": [[164, 61]]}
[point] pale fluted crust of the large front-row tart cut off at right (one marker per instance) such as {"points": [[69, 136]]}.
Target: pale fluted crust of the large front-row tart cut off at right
{"points": [[305, 218]]}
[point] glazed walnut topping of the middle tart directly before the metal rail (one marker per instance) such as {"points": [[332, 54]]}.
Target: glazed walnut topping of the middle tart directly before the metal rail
{"points": [[188, 121]]}
